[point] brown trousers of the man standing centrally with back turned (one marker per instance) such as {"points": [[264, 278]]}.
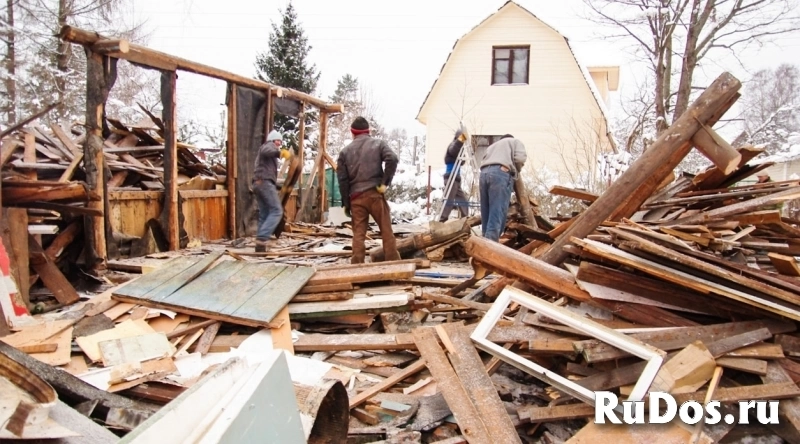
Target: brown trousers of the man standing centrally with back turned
{"points": [[372, 203]]}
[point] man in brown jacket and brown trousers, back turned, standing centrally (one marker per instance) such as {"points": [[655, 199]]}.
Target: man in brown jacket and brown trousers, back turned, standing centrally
{"points": [[365, 168]]}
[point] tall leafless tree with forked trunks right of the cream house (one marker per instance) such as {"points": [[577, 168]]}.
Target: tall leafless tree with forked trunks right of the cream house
{"points": [[673, 37]]}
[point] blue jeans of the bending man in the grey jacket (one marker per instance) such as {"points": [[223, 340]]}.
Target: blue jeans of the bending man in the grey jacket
{"points": [[496, 186]]}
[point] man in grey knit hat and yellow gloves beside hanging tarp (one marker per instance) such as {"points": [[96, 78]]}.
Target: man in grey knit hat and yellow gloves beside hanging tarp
{"points": [[265, 187]]}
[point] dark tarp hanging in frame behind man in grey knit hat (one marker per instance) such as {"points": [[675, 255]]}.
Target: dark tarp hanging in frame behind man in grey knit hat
{"points": [[251, 108]]}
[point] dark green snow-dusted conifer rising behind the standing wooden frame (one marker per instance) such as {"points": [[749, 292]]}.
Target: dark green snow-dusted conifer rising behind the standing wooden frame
{"points": [[286, 64]]}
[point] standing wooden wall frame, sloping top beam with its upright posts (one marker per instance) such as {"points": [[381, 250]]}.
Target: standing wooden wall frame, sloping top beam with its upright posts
{"points": [[102, 54]]}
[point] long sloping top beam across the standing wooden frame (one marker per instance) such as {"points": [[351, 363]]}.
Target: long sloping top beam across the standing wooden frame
{"points": [[159, 60]]}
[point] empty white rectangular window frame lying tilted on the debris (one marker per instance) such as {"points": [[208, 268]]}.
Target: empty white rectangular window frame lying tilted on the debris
{"points": [[652, 355]]}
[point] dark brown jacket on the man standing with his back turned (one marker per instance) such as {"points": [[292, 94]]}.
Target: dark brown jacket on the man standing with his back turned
{"points": [[360, 166]]}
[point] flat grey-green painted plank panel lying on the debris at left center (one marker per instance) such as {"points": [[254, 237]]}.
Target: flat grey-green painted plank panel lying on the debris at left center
{"points": [[239, 292]]}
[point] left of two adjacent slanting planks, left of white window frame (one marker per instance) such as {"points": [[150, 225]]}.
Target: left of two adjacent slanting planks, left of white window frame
{"points": [[465, 412]]}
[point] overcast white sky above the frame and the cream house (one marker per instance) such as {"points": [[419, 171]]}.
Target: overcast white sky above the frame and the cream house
{"points": [[396, 48]]}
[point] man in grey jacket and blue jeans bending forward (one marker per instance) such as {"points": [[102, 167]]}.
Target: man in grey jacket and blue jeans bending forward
{"points": [[501, 164]]}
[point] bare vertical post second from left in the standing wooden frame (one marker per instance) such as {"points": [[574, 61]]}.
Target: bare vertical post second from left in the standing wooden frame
{"points": [[169, 116]]}
